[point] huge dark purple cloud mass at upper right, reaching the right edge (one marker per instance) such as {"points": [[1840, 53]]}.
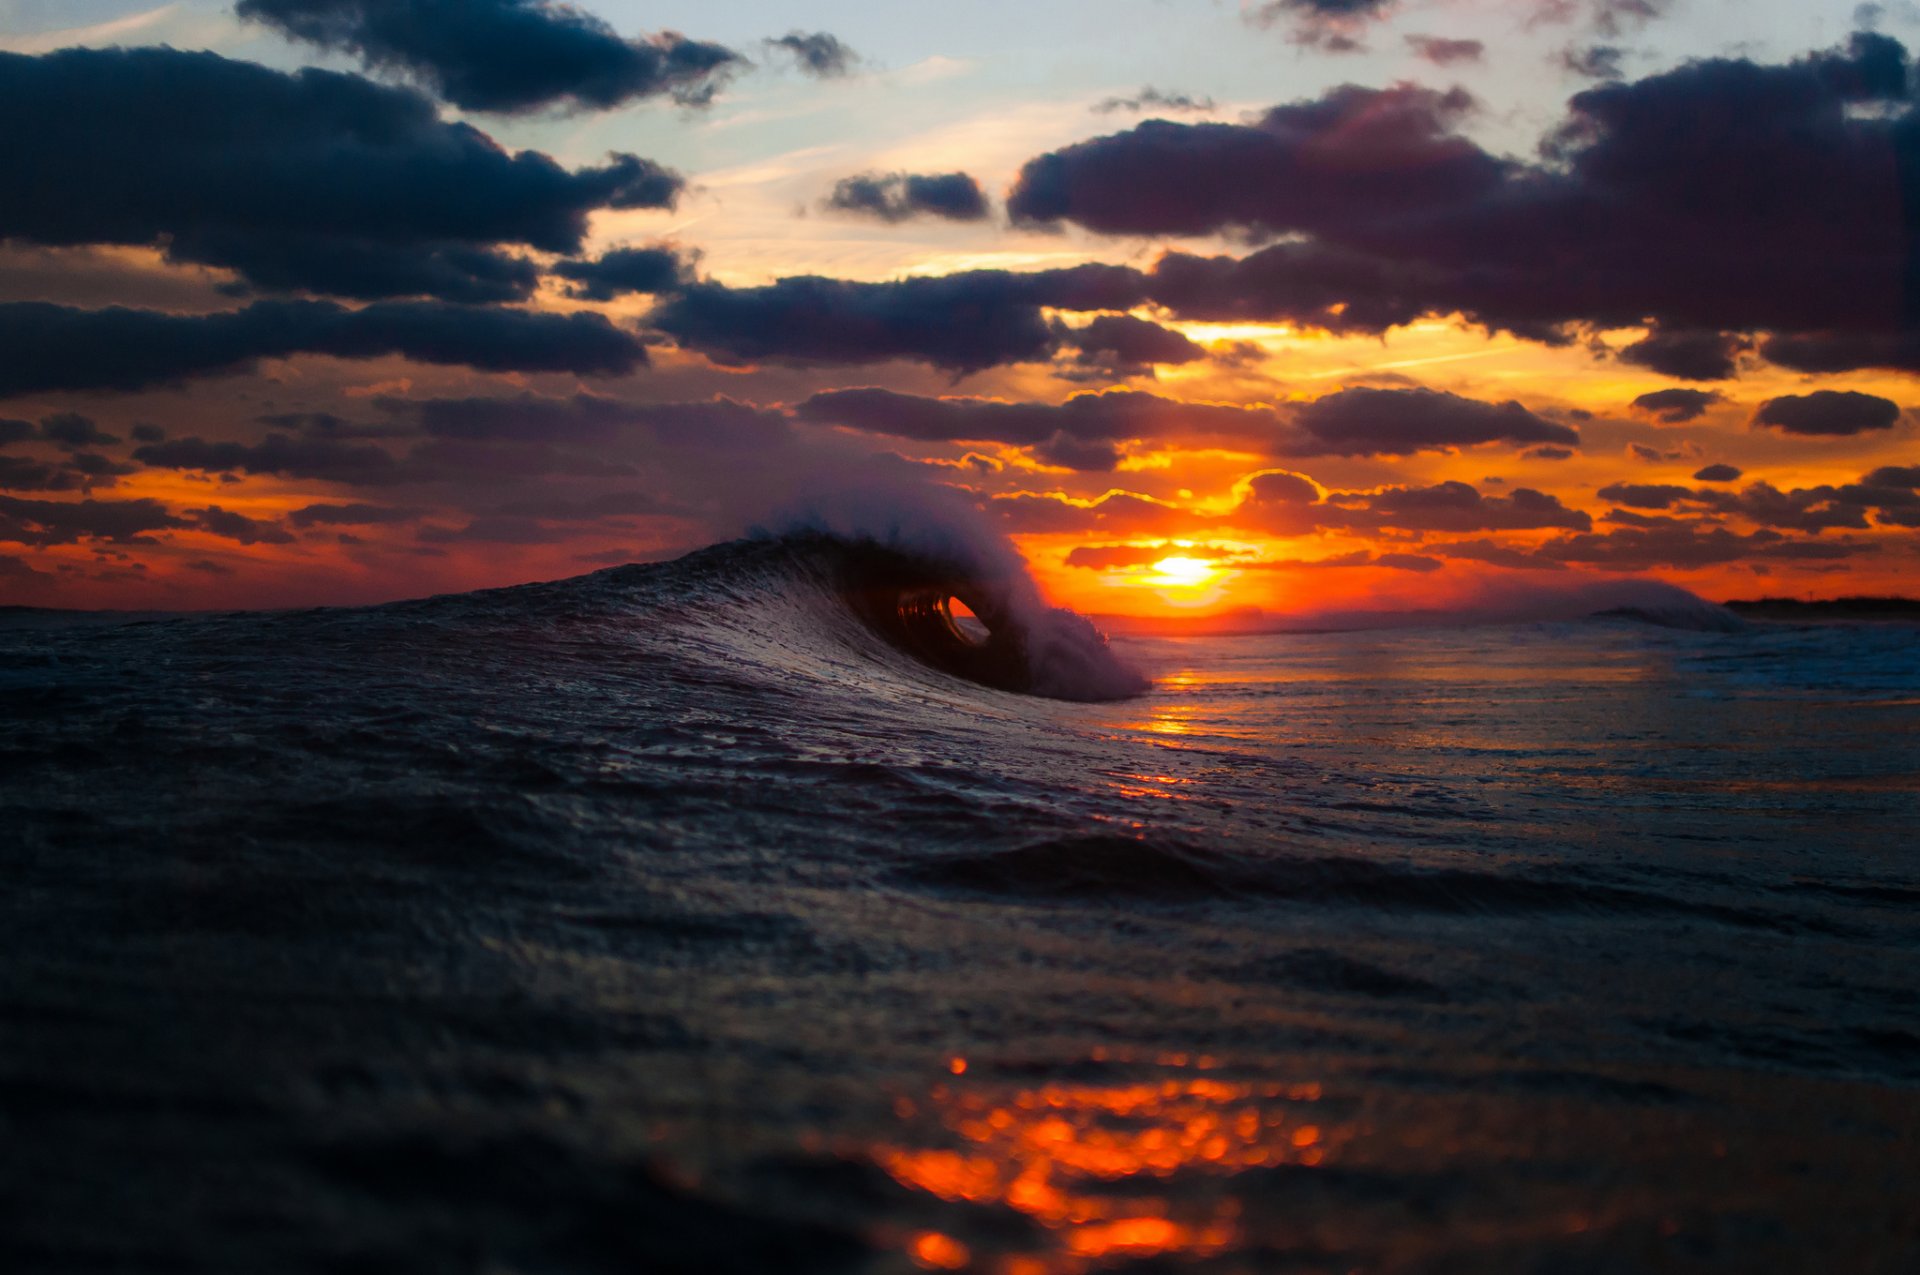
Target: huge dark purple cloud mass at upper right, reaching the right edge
{"points": [[1719, 197]]}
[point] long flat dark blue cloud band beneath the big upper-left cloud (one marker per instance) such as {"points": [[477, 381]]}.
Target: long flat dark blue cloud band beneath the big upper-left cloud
{"points": [[59, 349]]}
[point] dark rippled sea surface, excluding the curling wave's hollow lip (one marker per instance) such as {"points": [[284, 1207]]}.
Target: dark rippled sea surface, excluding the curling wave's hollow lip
{"points": [[669, 921]]}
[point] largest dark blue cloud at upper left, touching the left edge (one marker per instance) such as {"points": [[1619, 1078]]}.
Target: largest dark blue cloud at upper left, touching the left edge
{"points": [[310, 181]]}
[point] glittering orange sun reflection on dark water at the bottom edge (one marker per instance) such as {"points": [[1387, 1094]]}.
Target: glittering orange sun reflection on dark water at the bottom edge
{"points": [[1111, 1172]]}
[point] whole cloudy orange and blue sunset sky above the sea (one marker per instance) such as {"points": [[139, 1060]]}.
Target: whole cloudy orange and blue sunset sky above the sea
{"points": [[1297, 306]]}
